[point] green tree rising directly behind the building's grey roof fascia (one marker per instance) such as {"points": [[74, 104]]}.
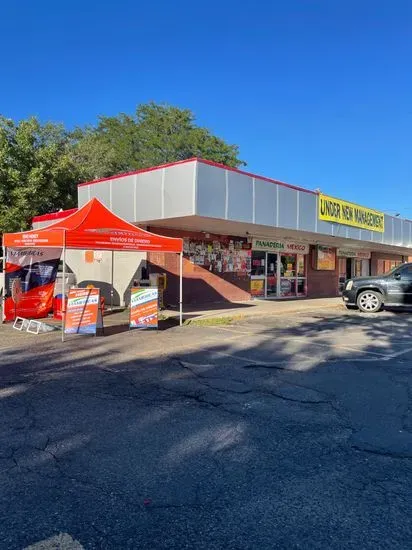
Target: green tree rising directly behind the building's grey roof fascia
{"points": [[155, 135]]}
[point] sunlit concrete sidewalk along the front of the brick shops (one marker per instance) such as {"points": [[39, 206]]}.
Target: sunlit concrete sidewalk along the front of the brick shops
{"points": [[254, 308]]}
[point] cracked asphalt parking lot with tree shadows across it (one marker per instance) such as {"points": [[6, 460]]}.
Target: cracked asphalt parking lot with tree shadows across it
{"points": [[286, 432]]}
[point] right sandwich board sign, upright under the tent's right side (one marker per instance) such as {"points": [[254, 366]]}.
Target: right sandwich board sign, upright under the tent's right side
{"points": [[144, 308]]}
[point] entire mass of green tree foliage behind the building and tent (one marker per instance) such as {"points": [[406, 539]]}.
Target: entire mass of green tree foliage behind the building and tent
{"points": [[41, 164]]}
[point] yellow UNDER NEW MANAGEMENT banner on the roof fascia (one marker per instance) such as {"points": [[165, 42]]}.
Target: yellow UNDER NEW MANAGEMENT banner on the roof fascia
{"points": [[347, 213]]}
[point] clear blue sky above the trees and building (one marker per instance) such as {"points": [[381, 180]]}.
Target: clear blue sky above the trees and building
{"points": [[317, 93]]}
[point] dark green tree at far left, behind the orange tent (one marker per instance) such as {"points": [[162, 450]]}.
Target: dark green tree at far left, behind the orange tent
{"points": [[37, 172]]}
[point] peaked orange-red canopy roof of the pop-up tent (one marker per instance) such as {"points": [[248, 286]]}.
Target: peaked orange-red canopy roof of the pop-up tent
{"points": [[94, 227]]}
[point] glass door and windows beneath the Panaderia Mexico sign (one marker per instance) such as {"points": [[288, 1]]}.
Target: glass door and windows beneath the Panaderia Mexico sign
{"points": [[278, 275]]}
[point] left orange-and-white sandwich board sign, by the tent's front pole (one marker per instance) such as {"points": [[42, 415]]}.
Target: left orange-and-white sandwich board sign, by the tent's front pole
{"points": [[83, 312]]}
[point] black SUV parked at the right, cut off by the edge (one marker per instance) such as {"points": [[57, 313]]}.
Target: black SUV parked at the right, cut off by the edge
{"points": [[369, 294]]}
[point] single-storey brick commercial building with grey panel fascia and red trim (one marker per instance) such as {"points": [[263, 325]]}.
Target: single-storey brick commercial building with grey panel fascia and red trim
{"points": [[246, 236]]}
